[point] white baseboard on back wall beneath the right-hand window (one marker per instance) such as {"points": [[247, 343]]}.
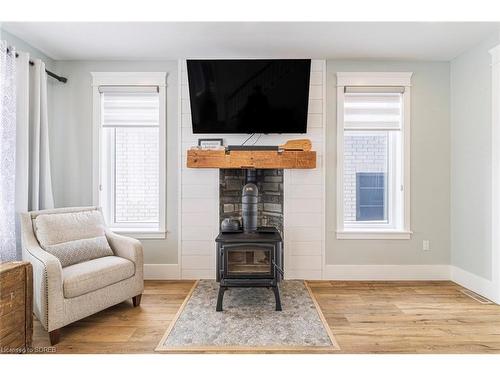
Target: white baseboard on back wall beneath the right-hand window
{"points": [[387, 272]]}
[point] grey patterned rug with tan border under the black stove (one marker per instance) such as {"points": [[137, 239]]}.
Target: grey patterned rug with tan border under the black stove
{"points": [[249, 322]]}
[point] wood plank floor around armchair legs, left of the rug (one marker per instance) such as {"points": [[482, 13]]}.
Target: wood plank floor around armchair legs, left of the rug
{"points": [[123, 328]]}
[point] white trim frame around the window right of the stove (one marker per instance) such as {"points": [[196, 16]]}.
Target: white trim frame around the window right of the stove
{"points": [[373, 79]]}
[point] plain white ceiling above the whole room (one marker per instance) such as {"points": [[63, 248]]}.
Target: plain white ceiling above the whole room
{"points": [[439, 41]]}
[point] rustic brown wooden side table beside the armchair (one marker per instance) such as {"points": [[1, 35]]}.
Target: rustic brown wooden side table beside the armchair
{"points": [[16, 307]]}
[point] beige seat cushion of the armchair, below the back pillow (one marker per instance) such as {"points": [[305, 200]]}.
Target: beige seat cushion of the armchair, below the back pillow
{"points": [[86, 277]]}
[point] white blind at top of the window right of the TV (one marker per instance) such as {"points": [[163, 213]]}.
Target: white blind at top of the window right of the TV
{"points": [[373, 108]]}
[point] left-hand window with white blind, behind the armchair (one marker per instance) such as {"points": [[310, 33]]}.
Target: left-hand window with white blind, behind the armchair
{"points": [[130, 176]]}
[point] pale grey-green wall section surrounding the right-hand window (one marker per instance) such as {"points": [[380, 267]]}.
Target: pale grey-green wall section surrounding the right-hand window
{"points": [[430, 181]]}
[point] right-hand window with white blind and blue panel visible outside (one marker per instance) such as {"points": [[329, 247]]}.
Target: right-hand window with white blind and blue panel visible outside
{"points": [[372, 177]]}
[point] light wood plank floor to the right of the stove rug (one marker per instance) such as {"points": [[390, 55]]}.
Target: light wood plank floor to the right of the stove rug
{"points": [[407, 317]]}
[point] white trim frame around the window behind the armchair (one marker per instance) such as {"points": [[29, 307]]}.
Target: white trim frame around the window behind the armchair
{"points": [[130, 79]]}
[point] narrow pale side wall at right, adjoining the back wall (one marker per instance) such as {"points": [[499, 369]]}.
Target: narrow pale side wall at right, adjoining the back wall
{"points": [[471, 152]]}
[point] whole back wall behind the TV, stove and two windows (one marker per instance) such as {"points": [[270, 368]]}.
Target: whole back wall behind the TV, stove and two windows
{"points": [[430, 172]]}
